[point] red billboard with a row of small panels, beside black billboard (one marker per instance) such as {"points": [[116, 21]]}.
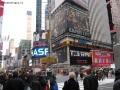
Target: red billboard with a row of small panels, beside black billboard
{"points": [[102, 58]]}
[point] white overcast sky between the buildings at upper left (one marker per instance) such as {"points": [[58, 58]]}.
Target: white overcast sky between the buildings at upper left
{"points": [[14, 20]]}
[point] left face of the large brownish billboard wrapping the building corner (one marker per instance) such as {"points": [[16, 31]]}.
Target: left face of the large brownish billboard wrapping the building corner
{"points": [[59, 23]]}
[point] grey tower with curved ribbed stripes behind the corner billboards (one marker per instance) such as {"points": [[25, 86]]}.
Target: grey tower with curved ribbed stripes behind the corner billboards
{"points": [[99, 22]]}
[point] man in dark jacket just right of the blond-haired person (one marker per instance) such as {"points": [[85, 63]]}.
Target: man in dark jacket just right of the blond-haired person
{"points": [[90, 82]]}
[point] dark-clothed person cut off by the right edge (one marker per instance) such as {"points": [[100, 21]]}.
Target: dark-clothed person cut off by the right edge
{"points": [[117, 80]]}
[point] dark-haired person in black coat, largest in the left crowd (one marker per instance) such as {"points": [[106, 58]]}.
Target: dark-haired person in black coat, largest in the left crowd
{"points": [[15, 83]]}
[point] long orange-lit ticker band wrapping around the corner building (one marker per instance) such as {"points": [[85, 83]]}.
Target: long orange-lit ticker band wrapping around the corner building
{"points": [[80, 44]]}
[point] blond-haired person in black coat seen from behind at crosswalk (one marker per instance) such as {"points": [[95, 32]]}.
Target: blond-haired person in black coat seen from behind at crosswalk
{"points": [[71, 84]]}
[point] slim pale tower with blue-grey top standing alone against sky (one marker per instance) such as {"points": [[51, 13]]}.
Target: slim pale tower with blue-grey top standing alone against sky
{"points": [[29, 26]]}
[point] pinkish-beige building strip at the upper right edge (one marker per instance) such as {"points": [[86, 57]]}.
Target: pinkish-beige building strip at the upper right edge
{"points": [[115, 9]]}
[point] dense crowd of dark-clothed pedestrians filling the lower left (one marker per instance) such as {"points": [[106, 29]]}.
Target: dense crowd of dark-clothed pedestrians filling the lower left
{"points": [[22, 80]]}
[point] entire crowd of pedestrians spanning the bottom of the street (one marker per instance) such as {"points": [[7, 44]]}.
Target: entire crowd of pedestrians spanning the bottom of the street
{"points": [[22, 80]]}
